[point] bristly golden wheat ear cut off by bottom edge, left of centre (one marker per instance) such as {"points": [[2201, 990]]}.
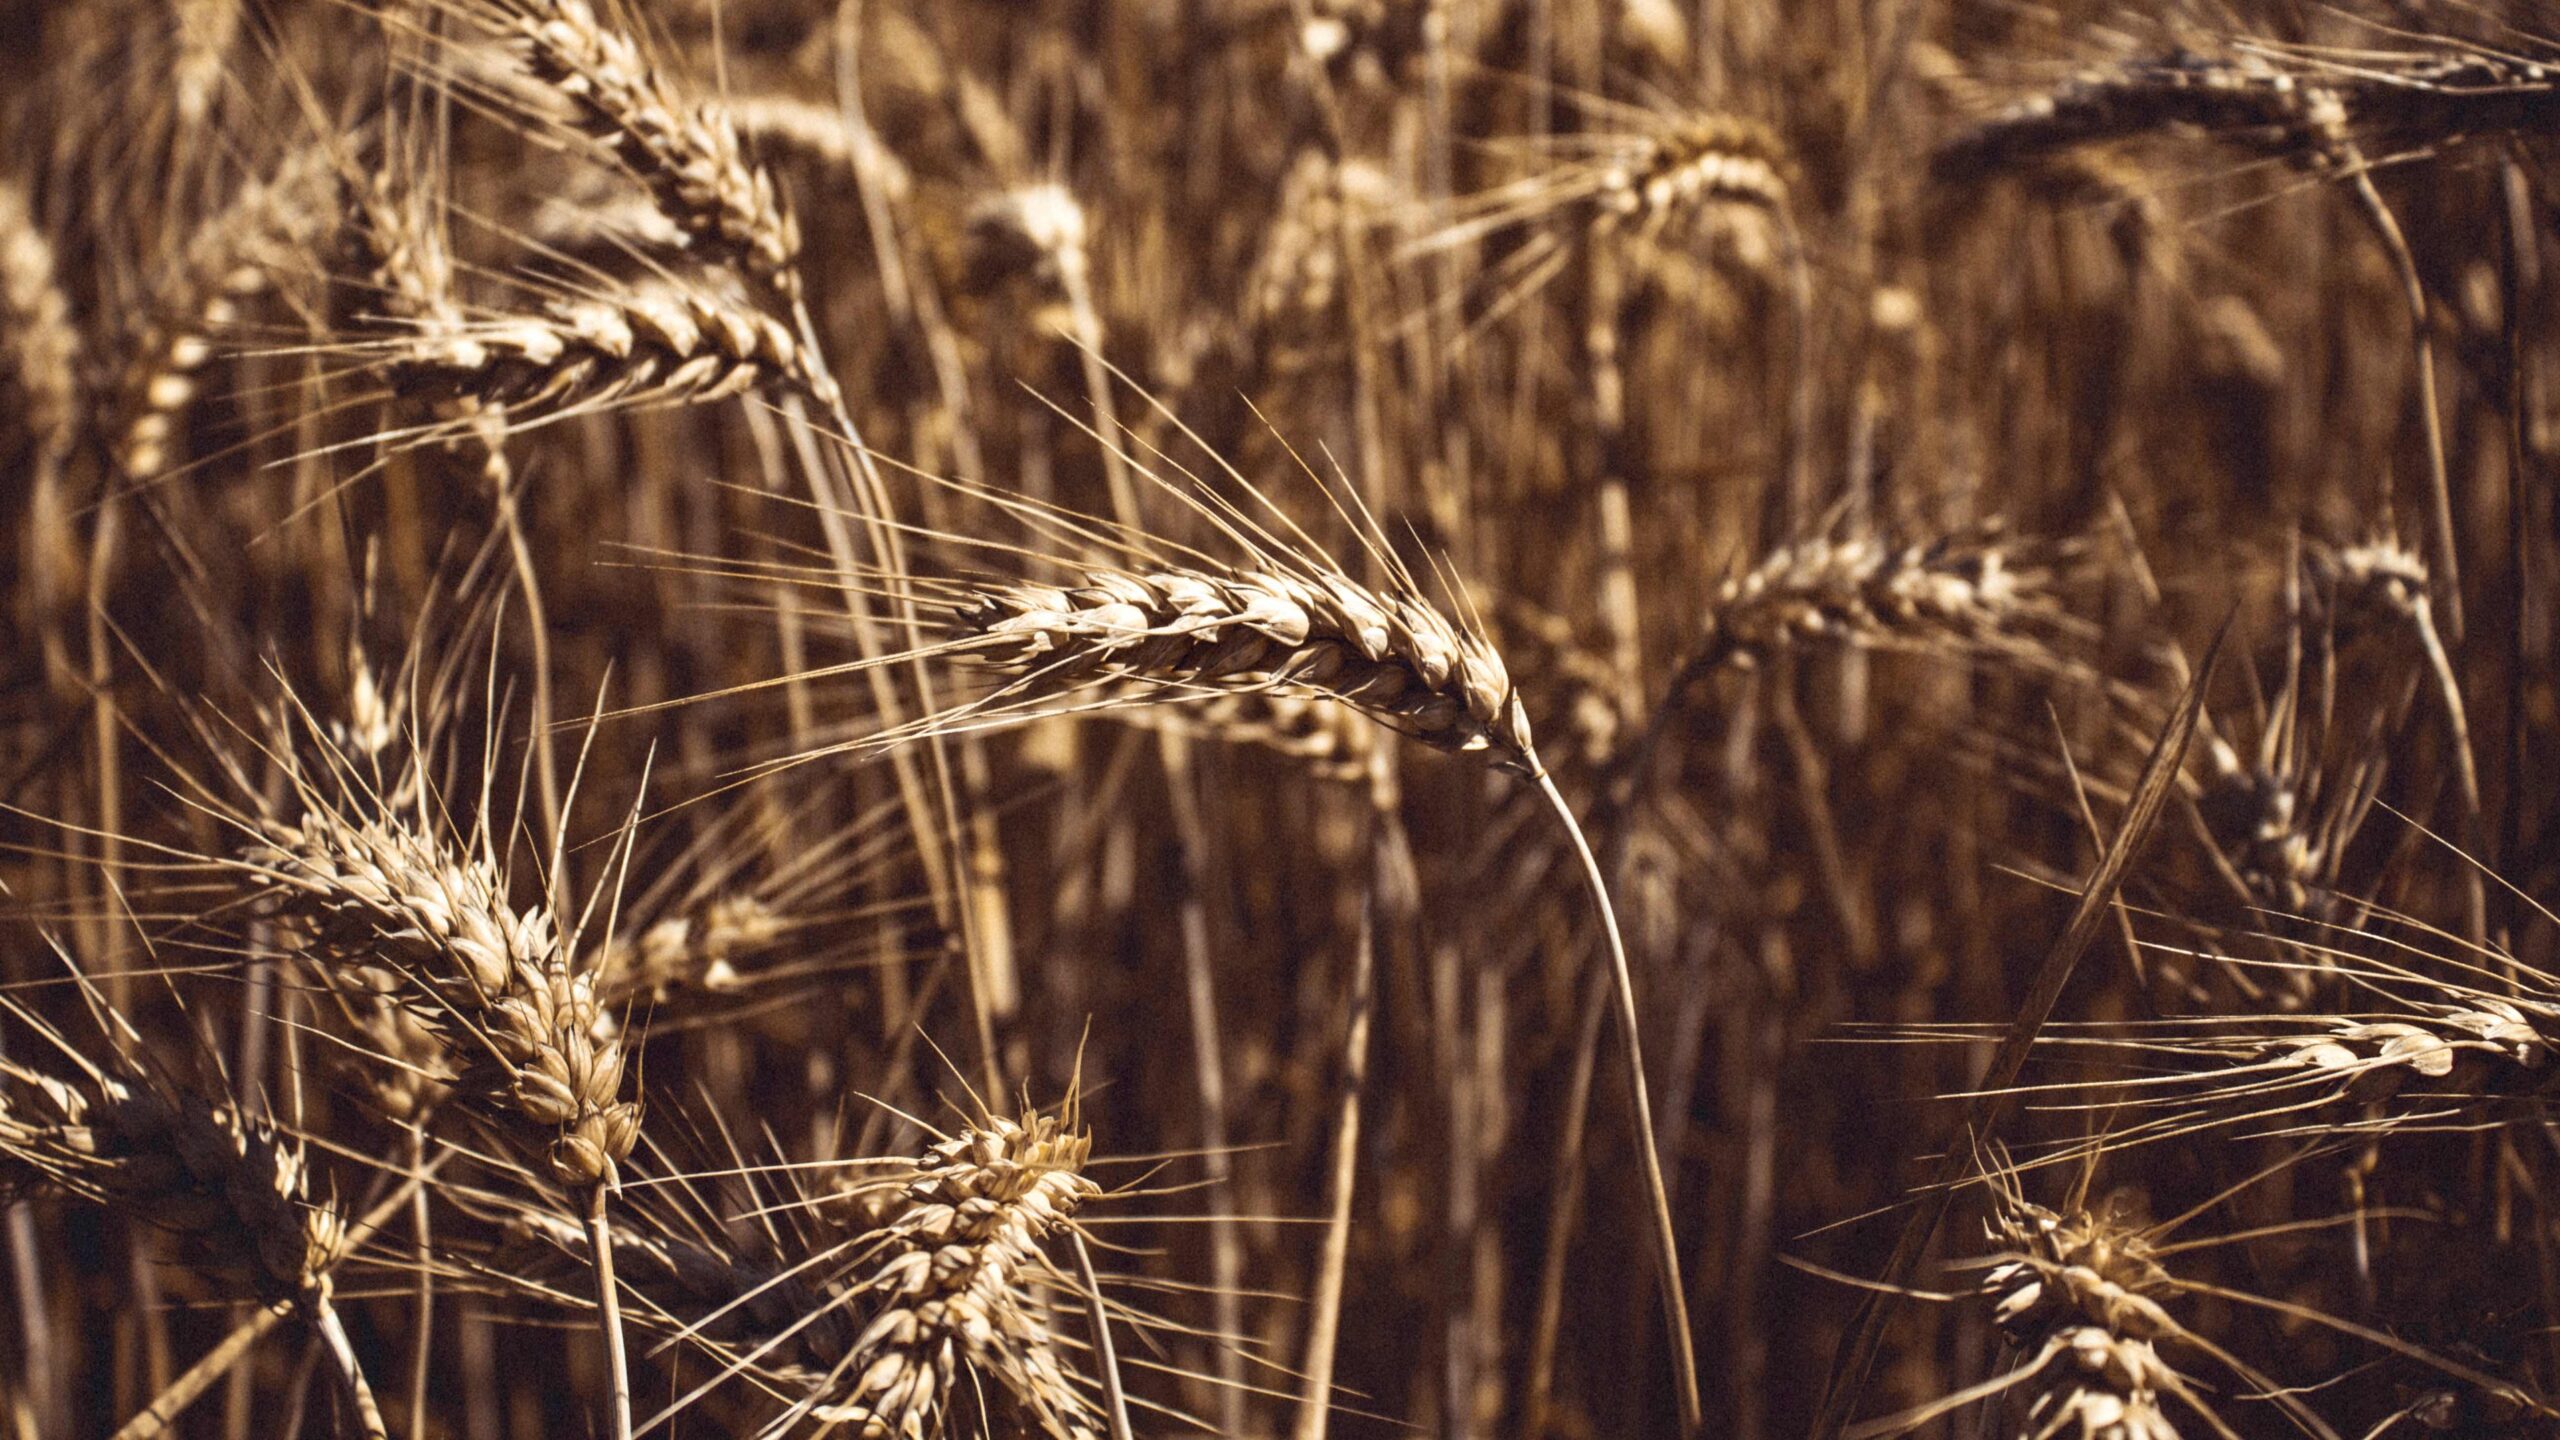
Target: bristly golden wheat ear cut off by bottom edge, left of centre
{"points": [[943, 1280]]}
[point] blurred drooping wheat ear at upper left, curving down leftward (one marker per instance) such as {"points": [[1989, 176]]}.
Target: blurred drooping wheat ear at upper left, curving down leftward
{"points": [[268, 232]]}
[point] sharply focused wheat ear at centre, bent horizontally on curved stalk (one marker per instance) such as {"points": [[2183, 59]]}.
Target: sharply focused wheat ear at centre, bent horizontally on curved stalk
{"points": [[1384, 655]]}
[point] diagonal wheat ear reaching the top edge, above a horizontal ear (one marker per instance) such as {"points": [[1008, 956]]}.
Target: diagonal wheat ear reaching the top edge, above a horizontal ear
{"points": [[685, 150]]}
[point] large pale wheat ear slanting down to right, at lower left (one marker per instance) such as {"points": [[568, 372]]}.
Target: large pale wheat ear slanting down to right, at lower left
{"points": [[488, 978]]}
